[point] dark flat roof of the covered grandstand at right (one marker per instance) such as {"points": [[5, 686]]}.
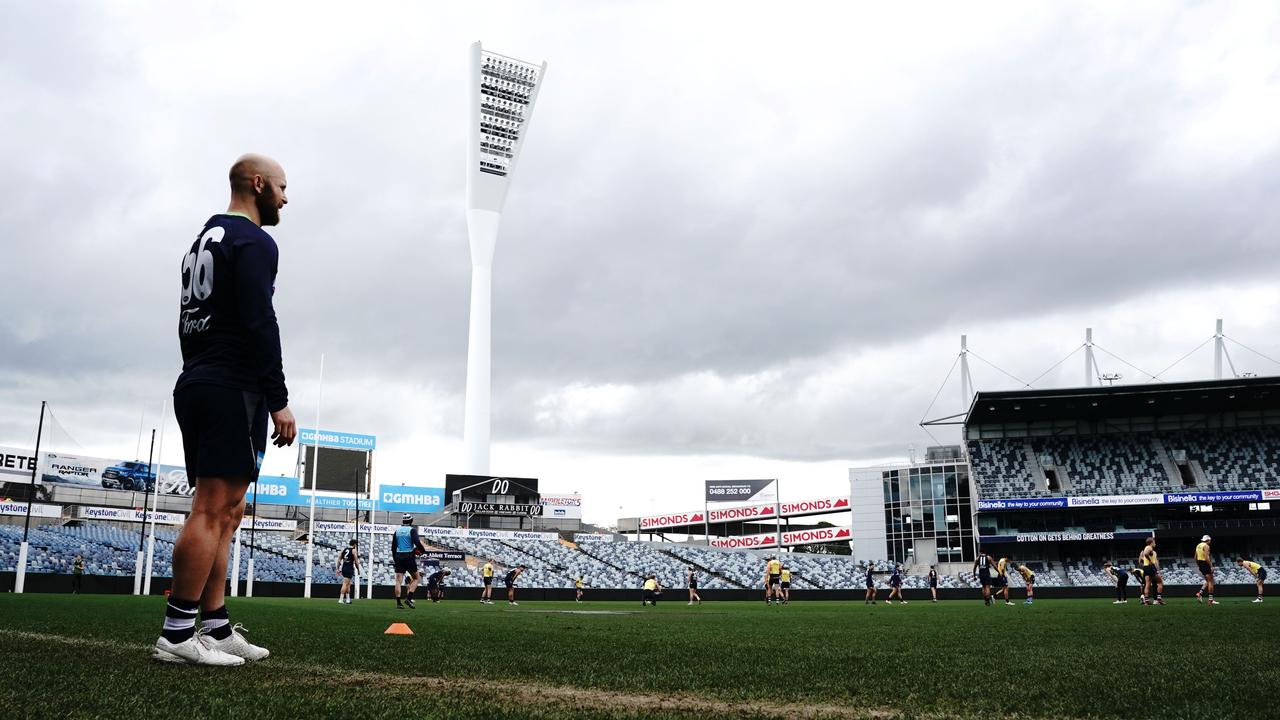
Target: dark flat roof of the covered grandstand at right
{"points": [[1126, 402]]}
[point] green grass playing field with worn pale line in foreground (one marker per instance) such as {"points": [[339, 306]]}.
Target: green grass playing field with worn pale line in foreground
{"points": [[88, 657]]}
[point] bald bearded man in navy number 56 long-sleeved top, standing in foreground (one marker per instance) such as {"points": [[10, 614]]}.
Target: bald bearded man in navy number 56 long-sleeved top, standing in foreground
{"points": [[232, 379]]}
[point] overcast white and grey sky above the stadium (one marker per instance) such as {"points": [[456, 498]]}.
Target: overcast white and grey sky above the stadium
{"points": [[742, 241]]}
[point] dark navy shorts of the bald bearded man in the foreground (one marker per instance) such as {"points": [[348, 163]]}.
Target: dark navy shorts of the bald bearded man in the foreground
{"points": [[223, 431]]}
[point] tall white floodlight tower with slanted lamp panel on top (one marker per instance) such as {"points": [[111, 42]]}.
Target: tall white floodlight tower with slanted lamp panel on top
{"points": [[504, 93]]}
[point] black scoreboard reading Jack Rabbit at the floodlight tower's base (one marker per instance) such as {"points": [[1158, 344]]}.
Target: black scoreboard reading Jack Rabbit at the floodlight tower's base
{"points": [[500, 503]]}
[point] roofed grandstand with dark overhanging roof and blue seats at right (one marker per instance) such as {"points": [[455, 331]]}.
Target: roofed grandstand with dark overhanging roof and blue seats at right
{"points": [[1069, 479]]}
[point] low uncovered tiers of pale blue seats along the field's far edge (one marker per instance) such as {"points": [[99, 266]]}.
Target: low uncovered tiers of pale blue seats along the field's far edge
{"points": [[109, 550]]}
